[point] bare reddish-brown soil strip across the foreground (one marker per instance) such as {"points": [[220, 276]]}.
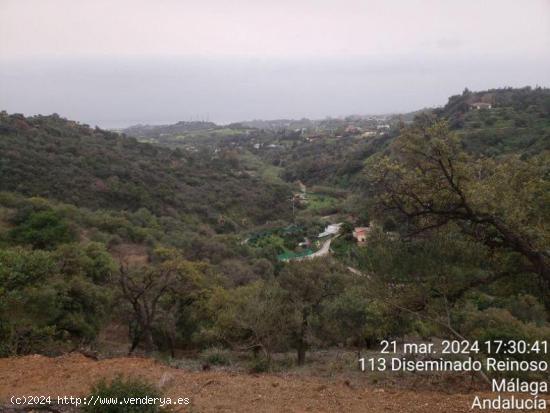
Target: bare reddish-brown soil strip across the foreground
{"points": [[212, 391]]}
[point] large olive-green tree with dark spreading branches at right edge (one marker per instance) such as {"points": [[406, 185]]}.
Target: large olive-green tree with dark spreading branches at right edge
{"points": [[429, 181]]}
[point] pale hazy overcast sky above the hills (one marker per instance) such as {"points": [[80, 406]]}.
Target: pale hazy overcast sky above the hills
{"points": [[114, 63]]}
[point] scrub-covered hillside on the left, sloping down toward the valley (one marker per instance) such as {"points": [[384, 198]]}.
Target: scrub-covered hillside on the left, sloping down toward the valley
{"points": [[52, 157]]}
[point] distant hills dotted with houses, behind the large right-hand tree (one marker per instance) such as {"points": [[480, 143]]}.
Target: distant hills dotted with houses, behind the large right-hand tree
{"points": [[333, 151]]}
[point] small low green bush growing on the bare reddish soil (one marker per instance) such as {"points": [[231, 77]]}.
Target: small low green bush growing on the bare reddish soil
{"points": [[121, 388]]}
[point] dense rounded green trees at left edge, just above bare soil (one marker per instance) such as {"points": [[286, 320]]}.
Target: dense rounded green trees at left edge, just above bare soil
{"points": [[41, 305]]}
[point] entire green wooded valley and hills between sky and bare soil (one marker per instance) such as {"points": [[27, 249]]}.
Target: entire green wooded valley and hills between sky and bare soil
{"points": [[165, 242]]}
